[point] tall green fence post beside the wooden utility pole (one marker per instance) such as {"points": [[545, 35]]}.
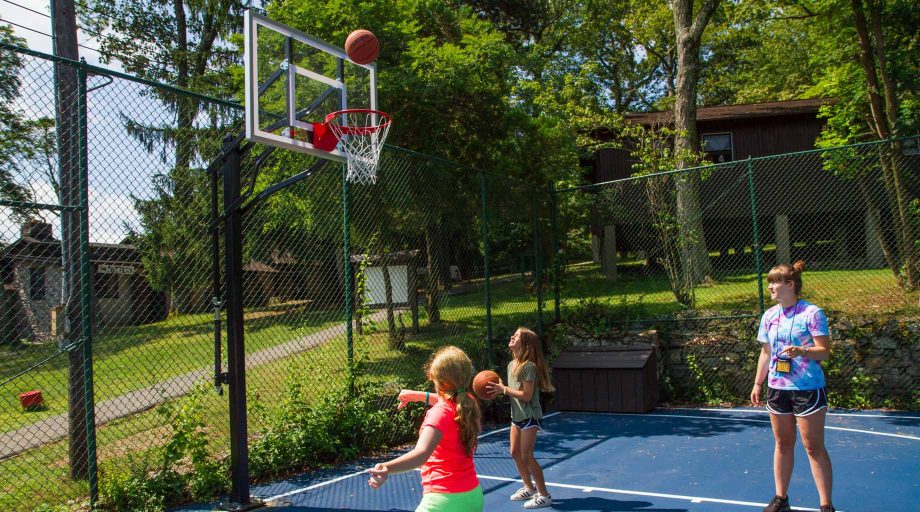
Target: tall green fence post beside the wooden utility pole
{"points": [[86, 317]]}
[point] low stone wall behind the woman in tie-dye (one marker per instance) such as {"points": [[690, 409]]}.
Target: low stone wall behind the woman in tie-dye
{"points": [[873, 363]]}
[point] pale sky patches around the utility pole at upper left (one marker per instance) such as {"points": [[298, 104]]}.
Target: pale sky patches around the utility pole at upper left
{"points": [[118, 166]]}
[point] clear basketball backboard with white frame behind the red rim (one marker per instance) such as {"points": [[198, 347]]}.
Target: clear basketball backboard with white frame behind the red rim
{"points": [[294, 80]]}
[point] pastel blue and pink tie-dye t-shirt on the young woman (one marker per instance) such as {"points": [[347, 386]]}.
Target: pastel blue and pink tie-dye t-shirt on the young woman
{"points": [[797, 325]]}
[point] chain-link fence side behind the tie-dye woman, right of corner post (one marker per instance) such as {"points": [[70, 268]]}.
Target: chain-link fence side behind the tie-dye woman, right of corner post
{"points": [[637, 253]]}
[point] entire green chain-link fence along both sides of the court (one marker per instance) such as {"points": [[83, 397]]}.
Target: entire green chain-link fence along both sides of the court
{"points": [[114, 292]]}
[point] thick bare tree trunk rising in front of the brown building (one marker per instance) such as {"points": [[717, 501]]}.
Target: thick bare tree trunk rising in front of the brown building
{"points": [[689, 31]]}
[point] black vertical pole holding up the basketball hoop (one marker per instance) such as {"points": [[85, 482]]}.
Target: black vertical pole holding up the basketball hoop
{"points": [[236, 355]]}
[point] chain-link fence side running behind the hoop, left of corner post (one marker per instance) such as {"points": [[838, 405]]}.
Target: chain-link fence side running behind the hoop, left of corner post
{"points": [[114, 292]]}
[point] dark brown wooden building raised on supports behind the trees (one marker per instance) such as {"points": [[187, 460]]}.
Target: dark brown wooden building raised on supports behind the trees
{"points": [[802, 209]]}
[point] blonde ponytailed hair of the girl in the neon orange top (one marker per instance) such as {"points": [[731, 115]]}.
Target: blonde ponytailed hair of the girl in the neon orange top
{"points": [[451, 371]]}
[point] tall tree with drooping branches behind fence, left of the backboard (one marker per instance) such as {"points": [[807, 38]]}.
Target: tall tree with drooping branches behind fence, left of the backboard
{"points": [[183, 43]]}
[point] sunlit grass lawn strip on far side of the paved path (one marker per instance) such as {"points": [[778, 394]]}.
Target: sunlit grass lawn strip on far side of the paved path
{"points": [[133, 357]]}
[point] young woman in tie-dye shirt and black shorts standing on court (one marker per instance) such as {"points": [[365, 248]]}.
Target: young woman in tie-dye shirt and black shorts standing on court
{"points": [[794, 340]]}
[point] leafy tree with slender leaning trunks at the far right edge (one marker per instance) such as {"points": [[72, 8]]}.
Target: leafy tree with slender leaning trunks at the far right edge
{"points": [[875, 82]]}
